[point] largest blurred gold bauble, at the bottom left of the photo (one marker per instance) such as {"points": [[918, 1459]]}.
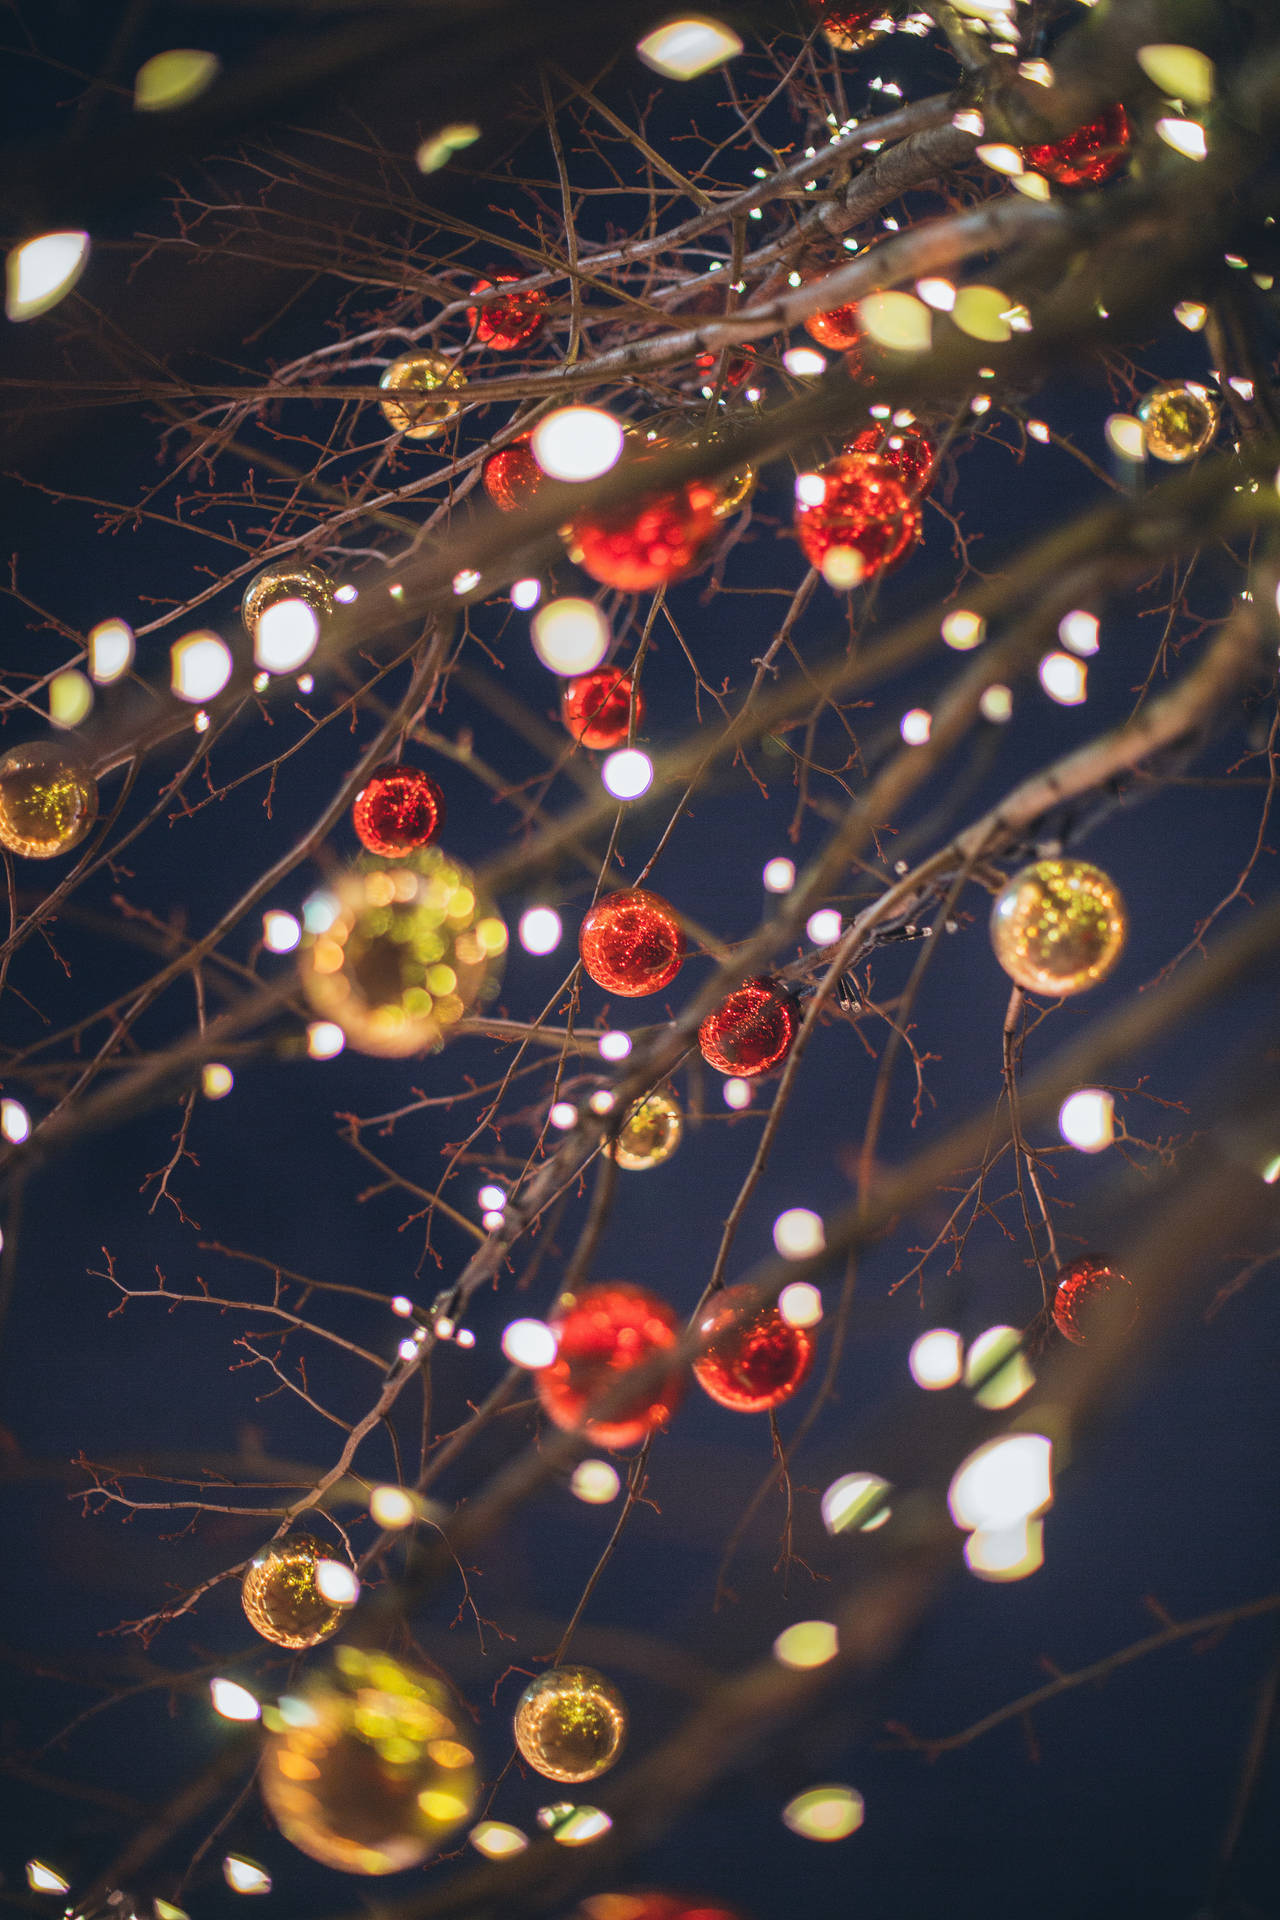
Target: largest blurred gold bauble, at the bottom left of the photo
{"points": [[369, 1767]]}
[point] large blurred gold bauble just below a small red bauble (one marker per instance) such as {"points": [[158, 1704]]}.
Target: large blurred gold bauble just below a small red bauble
{"points": [[400, 949]]}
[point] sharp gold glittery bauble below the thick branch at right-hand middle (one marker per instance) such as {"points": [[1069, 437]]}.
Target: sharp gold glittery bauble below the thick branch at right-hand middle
{"points": [[1058, 926]]}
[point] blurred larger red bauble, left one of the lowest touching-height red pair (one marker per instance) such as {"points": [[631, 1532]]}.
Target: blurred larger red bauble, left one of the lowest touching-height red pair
{"points": [[602, 1332]]}
